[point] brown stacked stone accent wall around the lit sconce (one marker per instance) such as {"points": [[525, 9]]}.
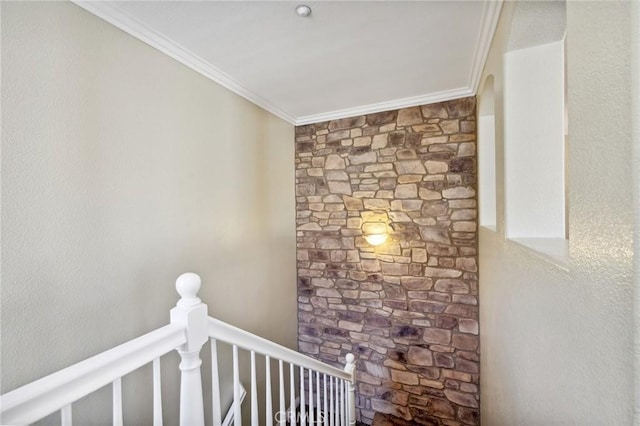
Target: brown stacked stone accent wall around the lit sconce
{"points": [[408, 309]]}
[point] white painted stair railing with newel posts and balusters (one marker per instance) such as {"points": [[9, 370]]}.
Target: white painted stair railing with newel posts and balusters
{"points": [[189, 329]]}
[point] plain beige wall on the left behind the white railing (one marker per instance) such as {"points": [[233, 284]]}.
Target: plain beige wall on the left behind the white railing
{"points": [[121, 169]]}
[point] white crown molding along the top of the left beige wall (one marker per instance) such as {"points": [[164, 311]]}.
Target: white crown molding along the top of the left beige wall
{"points": [[111, 13]]}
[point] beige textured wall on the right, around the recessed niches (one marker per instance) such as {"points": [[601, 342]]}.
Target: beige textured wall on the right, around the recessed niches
{"points": [[557, 339]]}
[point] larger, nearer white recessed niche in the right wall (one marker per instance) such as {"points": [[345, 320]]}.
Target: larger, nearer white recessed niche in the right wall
{"points": [[534, 132]]}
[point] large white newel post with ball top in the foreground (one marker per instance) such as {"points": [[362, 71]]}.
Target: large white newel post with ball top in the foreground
{"points": [[191, 313]]}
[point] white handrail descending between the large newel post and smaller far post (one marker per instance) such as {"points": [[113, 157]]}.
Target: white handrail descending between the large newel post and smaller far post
{"points": [[224, 332]]}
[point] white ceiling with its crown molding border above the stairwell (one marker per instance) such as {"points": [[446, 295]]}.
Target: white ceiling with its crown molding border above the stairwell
{"points": [[347, 58]]}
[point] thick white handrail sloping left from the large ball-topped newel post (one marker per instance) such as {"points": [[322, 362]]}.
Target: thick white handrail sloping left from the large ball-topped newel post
{"points": [[38, 399]]}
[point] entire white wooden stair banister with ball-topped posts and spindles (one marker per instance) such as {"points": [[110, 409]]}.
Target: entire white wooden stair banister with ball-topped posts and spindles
{"points": [[326, 394]]}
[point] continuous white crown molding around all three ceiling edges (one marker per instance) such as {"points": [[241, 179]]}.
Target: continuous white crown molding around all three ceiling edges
{"points": [[111, 13]]}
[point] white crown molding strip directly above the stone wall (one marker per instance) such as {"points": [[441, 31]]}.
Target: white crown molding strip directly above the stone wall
{"points": [[428, 98]]}
